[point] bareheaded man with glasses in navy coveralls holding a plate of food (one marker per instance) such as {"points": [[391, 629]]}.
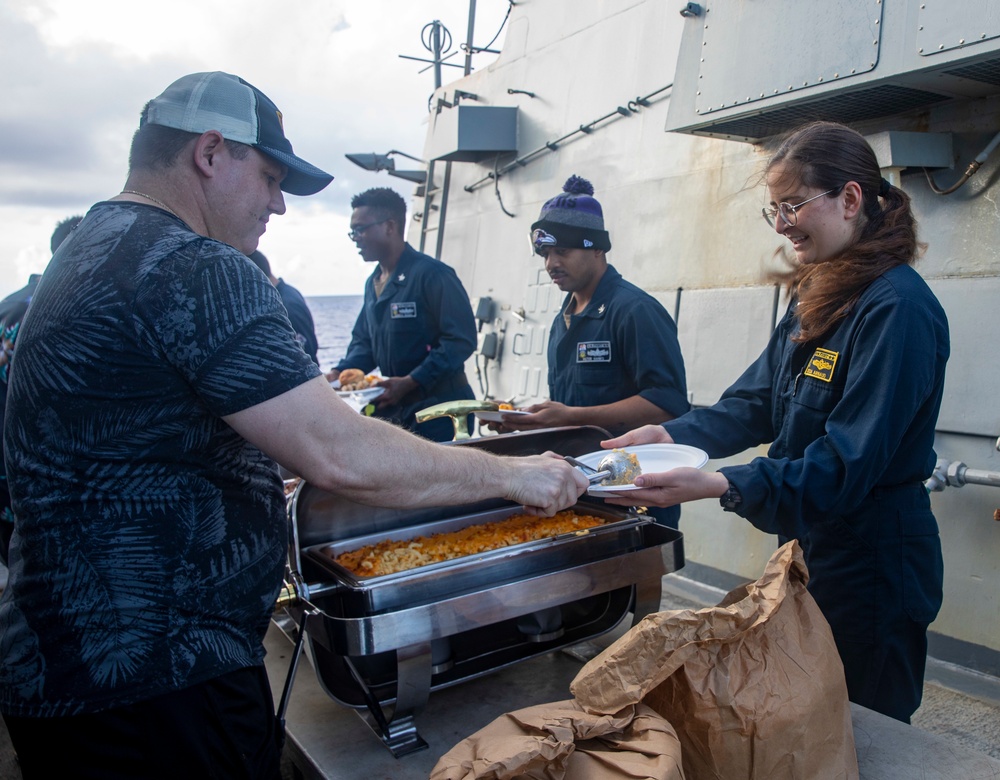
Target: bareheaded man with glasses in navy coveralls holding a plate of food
{"points": [[416, 325]]}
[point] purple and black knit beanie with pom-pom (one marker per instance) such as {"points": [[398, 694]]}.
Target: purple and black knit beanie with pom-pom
{"points": [[572, 219]]}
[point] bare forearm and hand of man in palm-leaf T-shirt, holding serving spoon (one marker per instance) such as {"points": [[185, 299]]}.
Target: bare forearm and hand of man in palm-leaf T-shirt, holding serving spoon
{"points": [[311, 432]]}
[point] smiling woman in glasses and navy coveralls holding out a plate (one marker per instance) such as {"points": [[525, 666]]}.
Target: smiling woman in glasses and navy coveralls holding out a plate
{"points": [[850, 407]]}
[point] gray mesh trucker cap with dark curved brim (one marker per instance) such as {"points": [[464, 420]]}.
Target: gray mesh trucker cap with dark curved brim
{"points": [[220, 101]]}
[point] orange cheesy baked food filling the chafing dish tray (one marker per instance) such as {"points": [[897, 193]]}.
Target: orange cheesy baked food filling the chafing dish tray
{"points": [[390, 556]]}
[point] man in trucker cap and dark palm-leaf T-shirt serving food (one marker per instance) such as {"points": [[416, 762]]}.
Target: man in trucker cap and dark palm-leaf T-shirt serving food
{"points": [[157, 384]]}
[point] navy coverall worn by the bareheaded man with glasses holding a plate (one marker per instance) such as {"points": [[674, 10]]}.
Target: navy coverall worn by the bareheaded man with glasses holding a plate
{"points": [[422, 326]]}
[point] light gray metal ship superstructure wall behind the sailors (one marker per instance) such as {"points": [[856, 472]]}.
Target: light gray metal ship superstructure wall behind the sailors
{"points": [[669, 109]]}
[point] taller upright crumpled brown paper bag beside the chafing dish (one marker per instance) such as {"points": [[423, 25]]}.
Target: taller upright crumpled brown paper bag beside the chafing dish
{"points": [[754, 687]]}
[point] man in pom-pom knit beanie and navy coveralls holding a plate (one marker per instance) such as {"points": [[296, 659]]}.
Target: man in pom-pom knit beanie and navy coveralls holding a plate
{"points": [[613, 356]]}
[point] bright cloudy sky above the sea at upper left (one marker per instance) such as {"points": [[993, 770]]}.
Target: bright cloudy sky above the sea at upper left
{"points": [[74, 75]]}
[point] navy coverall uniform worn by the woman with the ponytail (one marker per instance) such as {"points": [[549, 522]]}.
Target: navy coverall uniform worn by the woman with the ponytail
{"points": [[851, 419]]}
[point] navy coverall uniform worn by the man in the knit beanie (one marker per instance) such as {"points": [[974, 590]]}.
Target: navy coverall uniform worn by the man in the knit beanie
{"points": [[623, 344]]}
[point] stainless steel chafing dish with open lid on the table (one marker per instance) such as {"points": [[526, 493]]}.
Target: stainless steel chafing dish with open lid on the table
{"points": [[381, 644]]}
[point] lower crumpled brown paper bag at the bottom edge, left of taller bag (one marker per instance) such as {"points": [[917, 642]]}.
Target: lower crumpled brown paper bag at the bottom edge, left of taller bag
{"points": [[561, 741]]}
